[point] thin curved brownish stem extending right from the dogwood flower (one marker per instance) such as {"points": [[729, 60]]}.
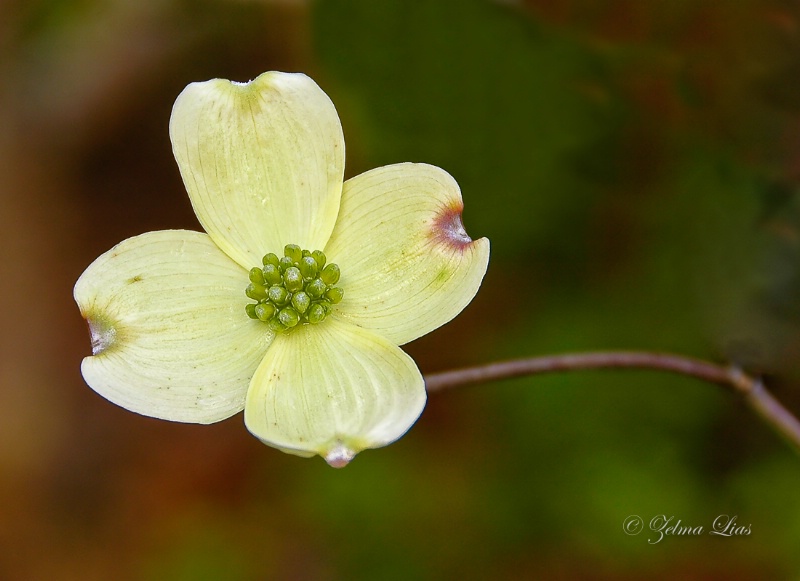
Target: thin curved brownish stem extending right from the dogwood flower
{"points": [[751, 388]]}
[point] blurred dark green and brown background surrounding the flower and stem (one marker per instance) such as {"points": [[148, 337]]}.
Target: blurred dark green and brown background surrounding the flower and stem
{"points": [[635, 166]]}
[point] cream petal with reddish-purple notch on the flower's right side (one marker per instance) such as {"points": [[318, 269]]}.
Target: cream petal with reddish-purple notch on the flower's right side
{"points": [[408, 266]]}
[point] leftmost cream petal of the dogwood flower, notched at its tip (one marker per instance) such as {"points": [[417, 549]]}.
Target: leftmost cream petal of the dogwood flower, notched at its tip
{"points": [[169, 332]]}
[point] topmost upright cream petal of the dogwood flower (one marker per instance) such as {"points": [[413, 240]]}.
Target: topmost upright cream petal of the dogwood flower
{"points": [[263, 162]]}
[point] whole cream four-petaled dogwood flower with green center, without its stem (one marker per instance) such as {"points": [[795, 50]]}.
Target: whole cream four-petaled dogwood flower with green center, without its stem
{"points": [[341, 273]]}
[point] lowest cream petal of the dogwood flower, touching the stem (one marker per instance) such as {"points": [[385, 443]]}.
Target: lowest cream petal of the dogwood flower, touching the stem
{"points": [[333, 389]]}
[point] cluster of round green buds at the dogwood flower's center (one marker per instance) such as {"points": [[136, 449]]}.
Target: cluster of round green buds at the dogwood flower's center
{"points": [[297, 289]]}
